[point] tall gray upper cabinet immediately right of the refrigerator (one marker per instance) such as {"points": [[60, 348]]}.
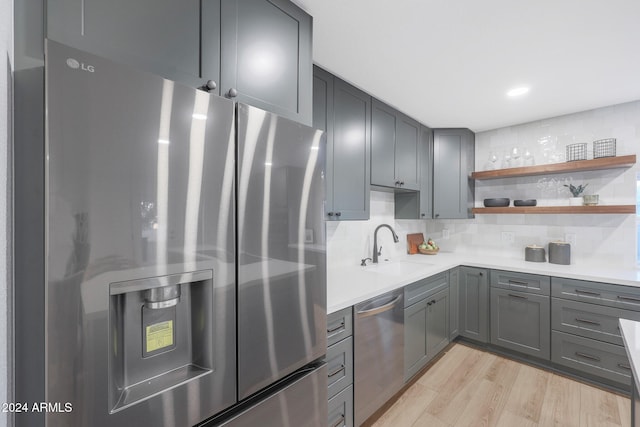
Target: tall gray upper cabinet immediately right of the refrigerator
{"points": [[344, 113]]}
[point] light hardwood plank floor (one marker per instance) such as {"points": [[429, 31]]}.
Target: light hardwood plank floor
{"points": [[470, 387]]}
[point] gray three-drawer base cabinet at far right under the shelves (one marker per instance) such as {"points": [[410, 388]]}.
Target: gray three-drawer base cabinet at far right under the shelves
{"points": [[585, 332]]}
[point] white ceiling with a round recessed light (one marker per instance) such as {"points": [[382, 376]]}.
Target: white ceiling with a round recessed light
{"points": [[449, 63]]}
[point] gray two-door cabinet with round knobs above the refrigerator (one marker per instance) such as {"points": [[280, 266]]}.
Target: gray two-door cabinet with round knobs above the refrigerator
{"points": [[256, 51]]}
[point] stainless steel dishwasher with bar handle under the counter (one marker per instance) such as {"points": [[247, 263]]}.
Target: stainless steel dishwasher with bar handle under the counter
{"points": [[378, 353]]}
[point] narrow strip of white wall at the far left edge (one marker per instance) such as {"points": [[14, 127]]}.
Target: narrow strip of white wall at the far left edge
{"points": [[6, 61]]}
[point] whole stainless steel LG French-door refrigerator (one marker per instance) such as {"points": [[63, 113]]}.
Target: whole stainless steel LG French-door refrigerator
{"points": [[170, 295]]}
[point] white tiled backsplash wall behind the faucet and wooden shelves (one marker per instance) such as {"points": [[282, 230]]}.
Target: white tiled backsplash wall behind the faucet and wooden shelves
{"points": [[599, 239]]}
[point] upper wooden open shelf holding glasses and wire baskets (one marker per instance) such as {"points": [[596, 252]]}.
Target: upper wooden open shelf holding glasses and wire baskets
{"points": [[579, 165]]}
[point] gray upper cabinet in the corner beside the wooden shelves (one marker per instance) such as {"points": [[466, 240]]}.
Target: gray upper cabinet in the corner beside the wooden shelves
{"points": [[453, 162]]}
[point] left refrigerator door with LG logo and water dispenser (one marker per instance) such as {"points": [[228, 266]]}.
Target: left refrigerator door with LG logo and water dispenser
{"points": [[140, 295]]}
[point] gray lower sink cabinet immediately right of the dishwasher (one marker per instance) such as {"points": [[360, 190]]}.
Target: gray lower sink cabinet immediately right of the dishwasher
{"points": [[426, 322]]}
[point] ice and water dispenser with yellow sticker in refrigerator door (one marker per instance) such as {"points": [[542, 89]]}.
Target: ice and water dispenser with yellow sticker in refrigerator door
{"points": [[160, 333]]}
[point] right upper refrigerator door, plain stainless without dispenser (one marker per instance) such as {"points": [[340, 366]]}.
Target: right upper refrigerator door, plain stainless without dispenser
{"points": [[281, 248]]}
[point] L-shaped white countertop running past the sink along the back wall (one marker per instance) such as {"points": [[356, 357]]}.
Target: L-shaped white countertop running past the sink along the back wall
{"points": [[350, 285]]}
